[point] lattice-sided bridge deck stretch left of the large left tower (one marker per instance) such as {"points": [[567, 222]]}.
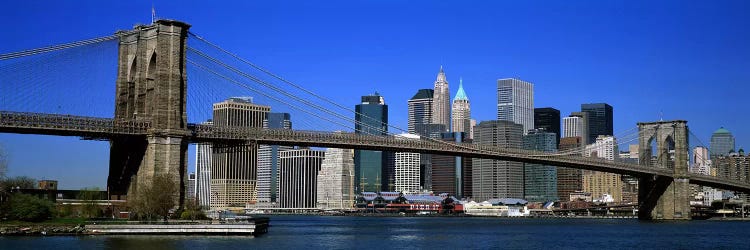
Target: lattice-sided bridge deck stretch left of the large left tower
{"points": [[70, 123]]}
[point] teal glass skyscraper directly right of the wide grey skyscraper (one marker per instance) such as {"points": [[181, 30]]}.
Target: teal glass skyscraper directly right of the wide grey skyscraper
{"points": [[540, 181]]}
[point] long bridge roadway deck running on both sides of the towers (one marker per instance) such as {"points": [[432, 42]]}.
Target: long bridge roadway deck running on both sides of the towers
{"points": [[106, 128]]}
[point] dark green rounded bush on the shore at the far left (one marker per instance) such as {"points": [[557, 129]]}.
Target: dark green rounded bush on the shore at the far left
{"points": [[29, 208]]}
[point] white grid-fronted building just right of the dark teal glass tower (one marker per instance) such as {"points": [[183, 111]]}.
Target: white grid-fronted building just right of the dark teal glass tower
{"points": [[407, 169]]}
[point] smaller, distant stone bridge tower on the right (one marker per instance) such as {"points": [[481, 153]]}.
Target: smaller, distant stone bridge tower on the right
{"points": [[663, 197]]}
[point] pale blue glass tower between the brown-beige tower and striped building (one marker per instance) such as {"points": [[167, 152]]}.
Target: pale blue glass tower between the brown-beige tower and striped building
{"points": [[268, 159]]}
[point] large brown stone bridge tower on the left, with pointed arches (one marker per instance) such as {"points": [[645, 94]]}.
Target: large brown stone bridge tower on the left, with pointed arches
{"points": [[151, 87]]}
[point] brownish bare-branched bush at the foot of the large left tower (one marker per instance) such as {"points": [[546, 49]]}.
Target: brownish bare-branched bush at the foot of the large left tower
{"points": [[151, 202]]}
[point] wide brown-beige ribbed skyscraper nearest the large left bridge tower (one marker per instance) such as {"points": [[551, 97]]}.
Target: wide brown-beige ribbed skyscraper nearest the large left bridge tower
{"points": [[234, 166]]}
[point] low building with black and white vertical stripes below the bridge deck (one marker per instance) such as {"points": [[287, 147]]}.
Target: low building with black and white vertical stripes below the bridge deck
{"points": [[298, 174]]}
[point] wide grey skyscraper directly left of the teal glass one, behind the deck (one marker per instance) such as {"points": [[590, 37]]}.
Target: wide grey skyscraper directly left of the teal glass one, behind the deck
{"points": [[493, 178]]}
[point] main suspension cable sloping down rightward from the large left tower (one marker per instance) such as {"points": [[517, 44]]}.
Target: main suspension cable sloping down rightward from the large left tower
{"points": [[255, 79]]}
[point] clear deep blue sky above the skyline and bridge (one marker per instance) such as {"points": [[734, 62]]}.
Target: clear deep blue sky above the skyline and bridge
{"points": [[683, 59]]}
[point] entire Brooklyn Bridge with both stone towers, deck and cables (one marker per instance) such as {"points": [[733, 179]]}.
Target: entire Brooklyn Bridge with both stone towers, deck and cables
{"points": [[150, 132]]}
